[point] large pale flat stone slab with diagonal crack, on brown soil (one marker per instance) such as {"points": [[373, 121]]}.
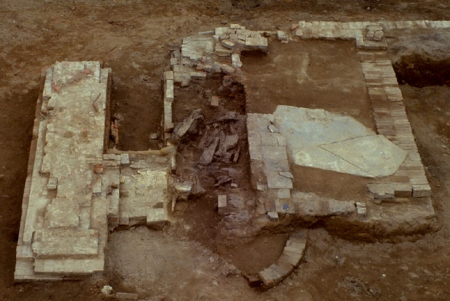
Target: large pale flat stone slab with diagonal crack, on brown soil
{"points": [[320, 139]]}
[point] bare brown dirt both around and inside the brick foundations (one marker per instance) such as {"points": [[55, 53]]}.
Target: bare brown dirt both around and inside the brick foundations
{"points": [[184, 261]]}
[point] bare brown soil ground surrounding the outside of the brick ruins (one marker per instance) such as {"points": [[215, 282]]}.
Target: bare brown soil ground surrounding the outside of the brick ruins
{"points": [[134, 39]]}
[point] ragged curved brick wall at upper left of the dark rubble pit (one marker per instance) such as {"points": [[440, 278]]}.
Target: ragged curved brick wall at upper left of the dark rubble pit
{"points": [[197, 58]]}
